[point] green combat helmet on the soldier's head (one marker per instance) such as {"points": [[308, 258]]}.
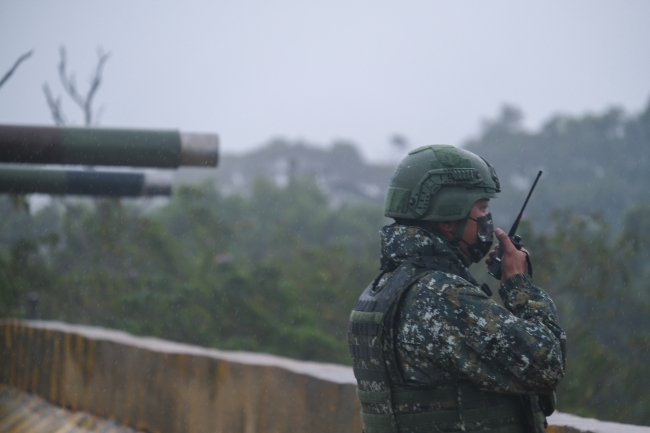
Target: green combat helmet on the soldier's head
{"points": [[439, 183]]}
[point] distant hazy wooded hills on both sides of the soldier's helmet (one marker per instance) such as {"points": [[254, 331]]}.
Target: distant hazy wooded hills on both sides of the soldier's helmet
{"points": [[594, 164]]}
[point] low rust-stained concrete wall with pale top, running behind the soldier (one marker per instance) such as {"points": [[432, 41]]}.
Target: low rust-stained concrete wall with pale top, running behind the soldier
{"points": [[161, 386]]}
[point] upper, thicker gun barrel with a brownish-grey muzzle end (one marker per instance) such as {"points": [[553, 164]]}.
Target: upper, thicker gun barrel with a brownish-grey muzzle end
{"points": [[100, 146]]}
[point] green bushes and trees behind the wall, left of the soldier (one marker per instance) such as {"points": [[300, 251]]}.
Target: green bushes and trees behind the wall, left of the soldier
{"points": [[276, 271]]}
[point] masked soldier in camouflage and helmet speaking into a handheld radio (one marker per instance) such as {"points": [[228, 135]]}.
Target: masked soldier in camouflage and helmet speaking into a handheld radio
{"points": [[432, 351]]}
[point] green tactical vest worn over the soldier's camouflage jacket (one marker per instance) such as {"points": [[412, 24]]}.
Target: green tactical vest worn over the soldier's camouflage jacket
{"points": [[389, 405]]}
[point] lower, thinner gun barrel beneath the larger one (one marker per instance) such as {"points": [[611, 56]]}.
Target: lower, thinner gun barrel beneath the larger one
{"points": [[82, 182]]}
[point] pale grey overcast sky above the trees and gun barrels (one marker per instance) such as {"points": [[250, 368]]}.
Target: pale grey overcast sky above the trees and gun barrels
{"points": [[326, 70]]}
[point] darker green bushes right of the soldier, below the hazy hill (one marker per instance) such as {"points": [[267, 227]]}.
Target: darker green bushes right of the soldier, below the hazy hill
{"points": [[599, 282]]}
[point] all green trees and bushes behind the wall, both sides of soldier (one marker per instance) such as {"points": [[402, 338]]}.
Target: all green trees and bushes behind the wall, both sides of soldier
{"points": [[277, 269]]}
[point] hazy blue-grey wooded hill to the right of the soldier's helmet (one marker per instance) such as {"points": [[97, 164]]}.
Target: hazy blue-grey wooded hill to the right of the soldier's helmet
{"points": [[595, 164]]}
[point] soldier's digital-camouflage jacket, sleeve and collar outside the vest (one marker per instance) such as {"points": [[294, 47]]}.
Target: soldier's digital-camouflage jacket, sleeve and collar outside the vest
{"points": [[448, 330]]}
